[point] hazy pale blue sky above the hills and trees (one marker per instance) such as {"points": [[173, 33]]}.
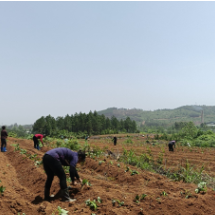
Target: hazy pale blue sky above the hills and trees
{"points": [[60, 58]]}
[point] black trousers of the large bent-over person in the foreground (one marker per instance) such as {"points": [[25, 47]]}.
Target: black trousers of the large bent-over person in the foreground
{"points": [[53, 167]]}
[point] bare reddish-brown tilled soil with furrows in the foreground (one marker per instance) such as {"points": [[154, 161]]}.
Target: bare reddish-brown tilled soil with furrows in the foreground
{"points": [[25, 182]]}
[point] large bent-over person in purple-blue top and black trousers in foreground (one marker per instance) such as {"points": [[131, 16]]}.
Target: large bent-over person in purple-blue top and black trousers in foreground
{"points": [[53, 161]]}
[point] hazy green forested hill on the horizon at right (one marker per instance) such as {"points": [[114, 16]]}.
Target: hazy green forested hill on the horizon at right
{"points": [[164, 117]]}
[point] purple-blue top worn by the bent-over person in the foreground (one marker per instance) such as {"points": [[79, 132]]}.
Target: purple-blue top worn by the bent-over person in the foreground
{"points": [[65, 156]]}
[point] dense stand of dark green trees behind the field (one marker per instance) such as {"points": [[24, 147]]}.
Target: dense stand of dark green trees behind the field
{"points": [[91, 123]]}
